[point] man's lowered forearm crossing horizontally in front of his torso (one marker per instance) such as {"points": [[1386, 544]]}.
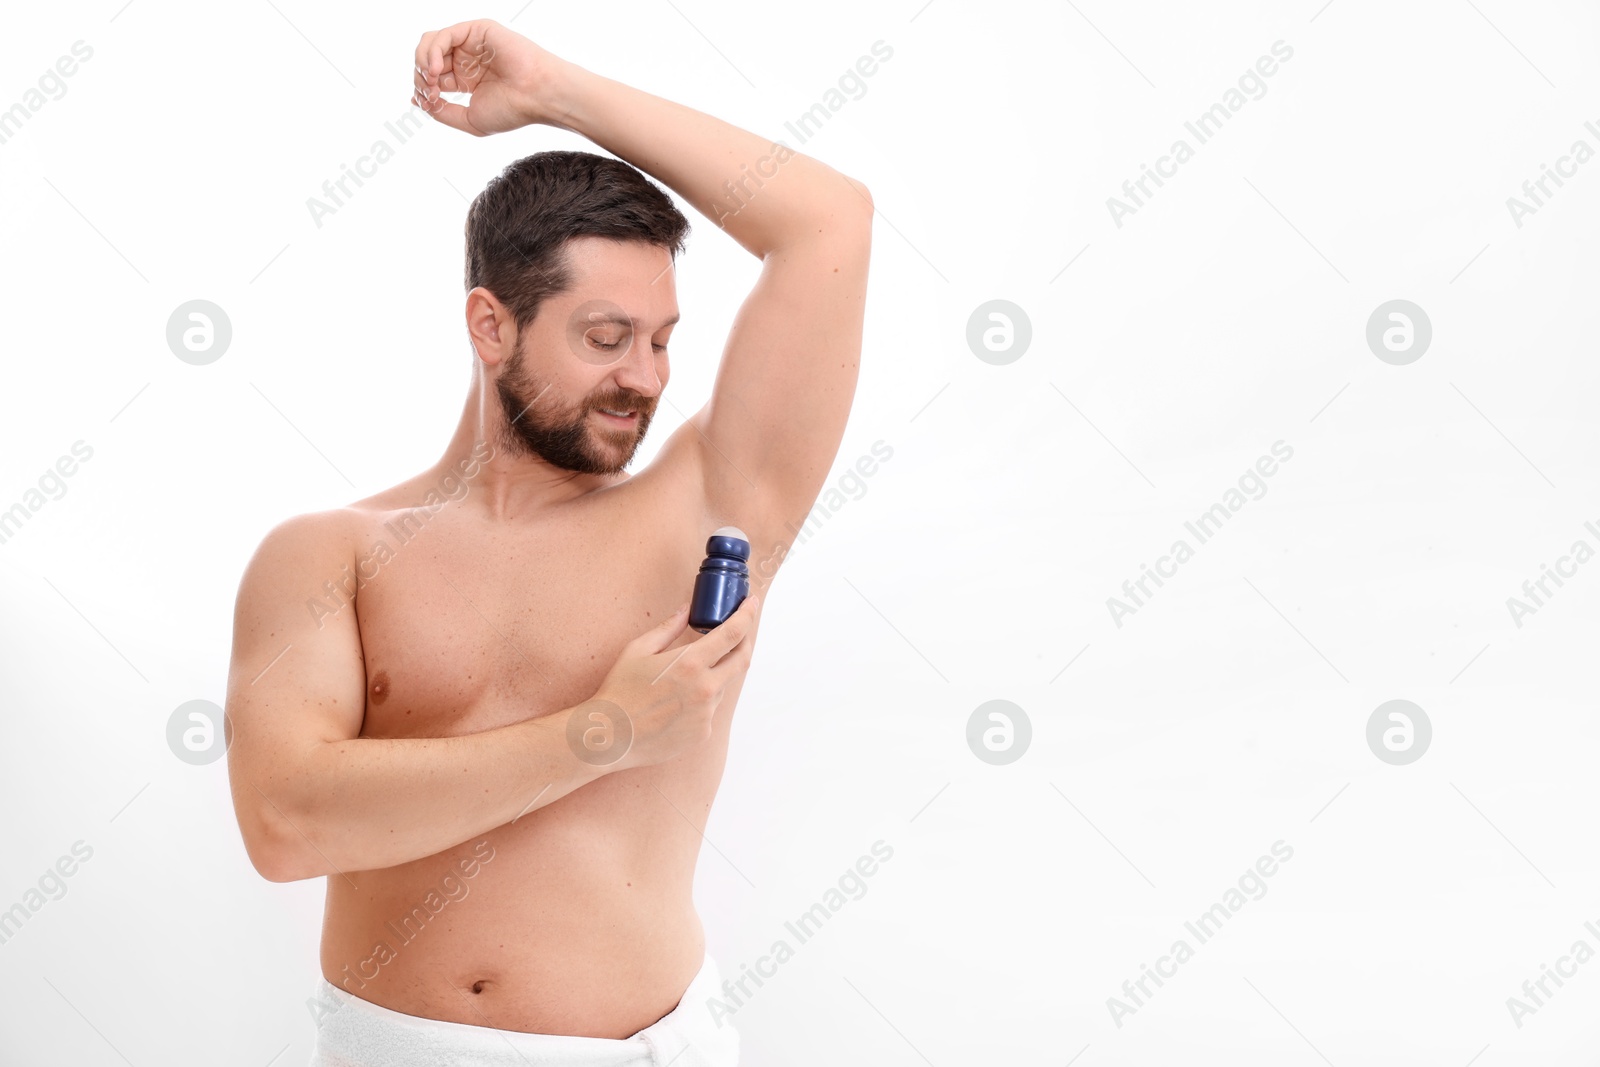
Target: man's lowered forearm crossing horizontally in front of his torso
{"points": [[369, 804]]}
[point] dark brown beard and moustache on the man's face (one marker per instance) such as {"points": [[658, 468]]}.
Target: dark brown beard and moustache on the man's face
{"points": [[567, 441]]}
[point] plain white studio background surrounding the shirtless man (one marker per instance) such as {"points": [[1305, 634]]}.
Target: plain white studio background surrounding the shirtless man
{"points": [[1225, 316]]}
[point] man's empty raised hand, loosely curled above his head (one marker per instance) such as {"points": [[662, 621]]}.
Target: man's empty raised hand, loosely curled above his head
{"points": [[508, 76]]}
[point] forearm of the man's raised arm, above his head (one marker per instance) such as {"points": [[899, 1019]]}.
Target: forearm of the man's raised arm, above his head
{"points": [[724, 172]]}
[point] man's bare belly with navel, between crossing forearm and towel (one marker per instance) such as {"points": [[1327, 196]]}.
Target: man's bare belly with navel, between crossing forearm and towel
{"points": [[578, 919]]}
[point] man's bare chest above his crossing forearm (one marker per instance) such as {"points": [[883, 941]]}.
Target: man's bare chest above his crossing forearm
{"points": [[471, 626]]}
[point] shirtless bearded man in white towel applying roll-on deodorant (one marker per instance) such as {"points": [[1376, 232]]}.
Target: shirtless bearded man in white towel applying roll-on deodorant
{"points": [[412, 743]]}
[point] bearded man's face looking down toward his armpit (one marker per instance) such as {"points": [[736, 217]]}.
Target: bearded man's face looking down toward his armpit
{"points": [[602, 346]]}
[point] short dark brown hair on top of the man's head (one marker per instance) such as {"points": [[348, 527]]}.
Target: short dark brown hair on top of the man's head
{"points": [[519, 226]]}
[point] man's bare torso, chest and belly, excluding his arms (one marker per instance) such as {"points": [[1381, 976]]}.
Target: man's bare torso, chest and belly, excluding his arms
{"points": [[578, 917]]}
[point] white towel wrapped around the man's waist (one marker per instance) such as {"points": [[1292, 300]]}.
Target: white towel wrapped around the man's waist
{"points": [[362, 1034]]}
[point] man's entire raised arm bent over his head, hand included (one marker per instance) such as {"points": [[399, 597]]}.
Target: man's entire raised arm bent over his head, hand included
{"points": [[788, 375]]}
